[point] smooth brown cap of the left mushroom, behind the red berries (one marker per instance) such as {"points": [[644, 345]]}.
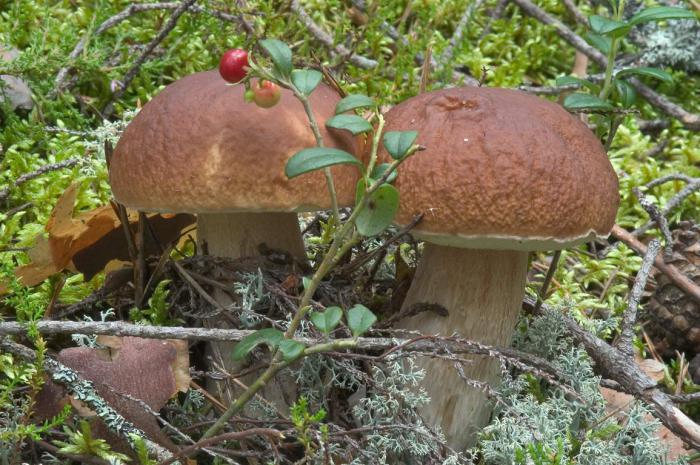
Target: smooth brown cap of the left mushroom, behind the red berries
{"points": [[198, 147]]}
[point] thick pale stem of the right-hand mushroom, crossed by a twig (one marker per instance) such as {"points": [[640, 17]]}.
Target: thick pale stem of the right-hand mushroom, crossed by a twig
{"points": [[482, 290]]}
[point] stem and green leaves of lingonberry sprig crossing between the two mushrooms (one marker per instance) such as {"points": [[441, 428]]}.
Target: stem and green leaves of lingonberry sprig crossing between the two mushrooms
{"points": [[376, 205]]}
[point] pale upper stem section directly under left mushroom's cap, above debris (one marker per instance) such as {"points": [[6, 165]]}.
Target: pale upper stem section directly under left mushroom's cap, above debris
{"points": [[240, 234]]}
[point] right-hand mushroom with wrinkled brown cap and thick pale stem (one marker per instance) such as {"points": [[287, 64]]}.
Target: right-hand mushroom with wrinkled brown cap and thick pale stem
{"points": [[504, 173]]}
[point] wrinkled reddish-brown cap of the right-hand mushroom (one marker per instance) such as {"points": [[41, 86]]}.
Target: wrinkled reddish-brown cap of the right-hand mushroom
{"points": [[502, 170]]}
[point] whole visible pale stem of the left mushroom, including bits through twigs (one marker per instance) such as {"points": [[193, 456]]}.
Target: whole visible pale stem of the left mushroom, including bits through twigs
{"points": [[237, 235]]}
